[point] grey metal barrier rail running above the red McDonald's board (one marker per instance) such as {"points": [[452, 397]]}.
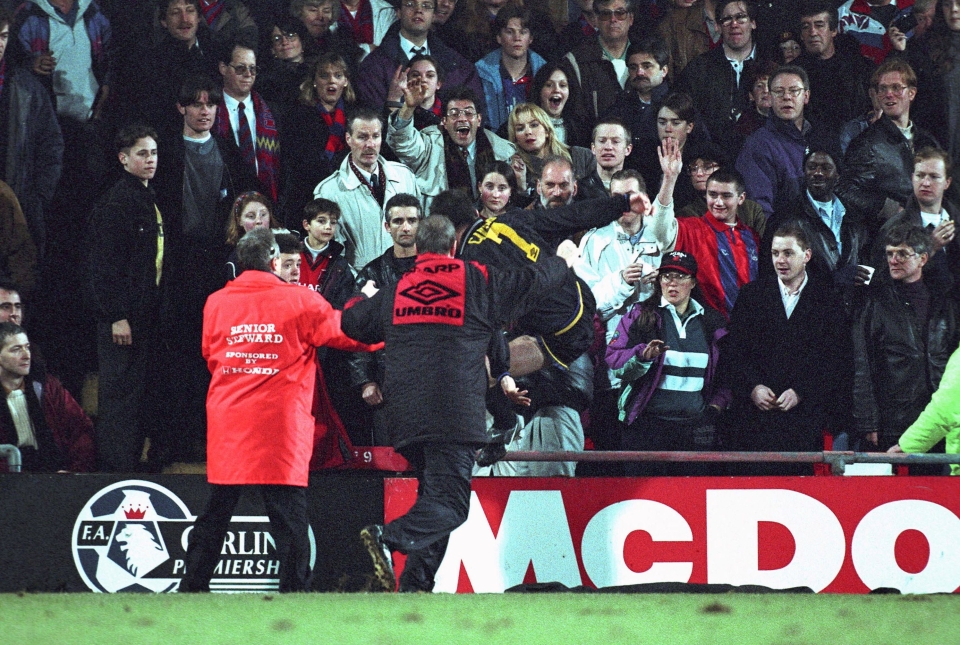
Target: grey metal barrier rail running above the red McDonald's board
{"points": [[837, 460]]}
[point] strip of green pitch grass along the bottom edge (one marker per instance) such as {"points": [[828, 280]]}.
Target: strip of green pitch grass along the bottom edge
{"points": [[528, 619]]}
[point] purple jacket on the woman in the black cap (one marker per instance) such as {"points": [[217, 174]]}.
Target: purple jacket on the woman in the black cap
{"points": [[620, 354]]}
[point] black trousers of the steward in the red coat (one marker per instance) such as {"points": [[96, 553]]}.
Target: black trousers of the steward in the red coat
{"points": [[287, 510]]}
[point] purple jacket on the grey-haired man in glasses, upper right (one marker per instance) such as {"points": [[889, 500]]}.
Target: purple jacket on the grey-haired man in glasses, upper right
{"points": [[771, 163]]}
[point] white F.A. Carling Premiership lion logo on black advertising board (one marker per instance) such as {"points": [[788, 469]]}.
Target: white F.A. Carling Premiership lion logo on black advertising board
{"points": [[133, 536]]}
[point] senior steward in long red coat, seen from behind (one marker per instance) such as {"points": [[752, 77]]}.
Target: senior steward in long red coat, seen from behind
{"points": [[260, 336]]}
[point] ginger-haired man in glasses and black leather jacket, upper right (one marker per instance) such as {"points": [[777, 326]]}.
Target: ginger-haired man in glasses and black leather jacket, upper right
{"points": [[879, 163]]}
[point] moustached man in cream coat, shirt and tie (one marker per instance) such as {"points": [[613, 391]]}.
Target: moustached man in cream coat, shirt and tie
{"points": [[362, 186]]}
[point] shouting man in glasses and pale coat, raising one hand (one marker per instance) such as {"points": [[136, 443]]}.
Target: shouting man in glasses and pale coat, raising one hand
{"points": [[445, 156]]}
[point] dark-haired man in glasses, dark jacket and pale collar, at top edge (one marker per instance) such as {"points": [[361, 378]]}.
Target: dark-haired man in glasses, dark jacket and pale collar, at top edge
{"points": [[715, 79]]}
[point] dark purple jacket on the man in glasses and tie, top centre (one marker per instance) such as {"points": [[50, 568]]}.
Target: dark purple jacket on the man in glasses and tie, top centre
{"points": [[377, 69]]}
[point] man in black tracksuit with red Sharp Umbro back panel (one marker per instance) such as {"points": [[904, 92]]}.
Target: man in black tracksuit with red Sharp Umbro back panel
{"points": [[437, 323]]}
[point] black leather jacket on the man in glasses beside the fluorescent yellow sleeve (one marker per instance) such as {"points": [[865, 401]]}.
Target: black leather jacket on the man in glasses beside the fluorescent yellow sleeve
{"points": [[898, 364]]}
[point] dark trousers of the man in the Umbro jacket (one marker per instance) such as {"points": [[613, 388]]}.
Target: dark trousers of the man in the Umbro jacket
{"points": [[443, 501]]}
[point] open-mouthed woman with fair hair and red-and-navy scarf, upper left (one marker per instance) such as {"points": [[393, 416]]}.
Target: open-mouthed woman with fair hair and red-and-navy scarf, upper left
{"points": [[317, 139]]}
